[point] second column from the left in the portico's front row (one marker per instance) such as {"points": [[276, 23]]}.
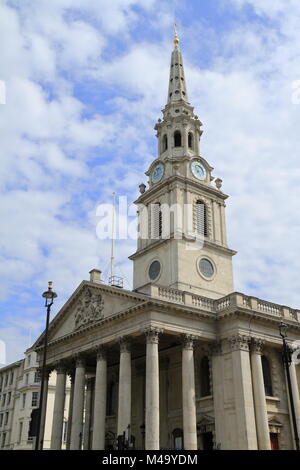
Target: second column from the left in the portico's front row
{"points": [[78, 405]]}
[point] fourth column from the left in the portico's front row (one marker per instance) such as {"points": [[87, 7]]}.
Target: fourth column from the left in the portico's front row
{"points": [[124, 408]]}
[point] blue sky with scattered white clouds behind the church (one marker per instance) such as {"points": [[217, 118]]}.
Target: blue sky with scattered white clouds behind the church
{"points": [[85, 83]]}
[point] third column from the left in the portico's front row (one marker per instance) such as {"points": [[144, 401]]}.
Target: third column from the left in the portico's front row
{"points": [[100, 400]]}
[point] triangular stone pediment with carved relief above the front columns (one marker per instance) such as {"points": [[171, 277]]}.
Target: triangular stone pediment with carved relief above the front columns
{"points": [[88, 305]]}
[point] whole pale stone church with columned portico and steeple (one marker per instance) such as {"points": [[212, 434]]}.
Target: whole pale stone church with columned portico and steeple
{"points": [[182, 361]]}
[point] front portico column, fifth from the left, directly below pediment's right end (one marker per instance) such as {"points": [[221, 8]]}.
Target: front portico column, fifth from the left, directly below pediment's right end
{"points": [[152, 390]]}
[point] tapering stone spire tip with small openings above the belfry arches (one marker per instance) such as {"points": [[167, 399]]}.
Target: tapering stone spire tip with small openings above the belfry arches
{"points": [[177, 86]]}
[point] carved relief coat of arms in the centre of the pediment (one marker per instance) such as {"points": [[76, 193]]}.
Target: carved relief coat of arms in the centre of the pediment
{"points": [[89, 308]]}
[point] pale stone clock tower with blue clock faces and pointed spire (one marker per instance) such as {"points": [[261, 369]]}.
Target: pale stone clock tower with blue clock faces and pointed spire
{"points": [[182, 240]]}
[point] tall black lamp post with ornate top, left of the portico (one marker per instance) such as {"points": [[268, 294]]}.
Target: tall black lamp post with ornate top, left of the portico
{"points": [[49, 297]]}
